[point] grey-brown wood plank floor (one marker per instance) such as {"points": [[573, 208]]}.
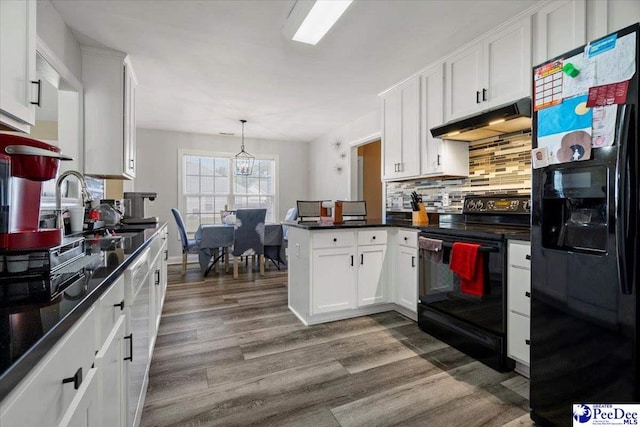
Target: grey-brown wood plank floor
{"points": [[230, 353]]}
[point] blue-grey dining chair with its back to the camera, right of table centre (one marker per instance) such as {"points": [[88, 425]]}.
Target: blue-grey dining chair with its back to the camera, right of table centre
{"points": [[249, 237]]}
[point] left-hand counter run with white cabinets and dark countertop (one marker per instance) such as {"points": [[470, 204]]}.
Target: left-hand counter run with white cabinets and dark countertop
{"points": [[90, 346]]}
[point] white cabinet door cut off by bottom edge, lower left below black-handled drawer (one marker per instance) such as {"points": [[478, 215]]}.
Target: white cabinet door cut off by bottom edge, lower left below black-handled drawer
{"points": [[84, 410]]}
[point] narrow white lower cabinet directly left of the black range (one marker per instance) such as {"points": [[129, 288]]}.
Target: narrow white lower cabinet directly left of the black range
{"points": [[406, 273]]}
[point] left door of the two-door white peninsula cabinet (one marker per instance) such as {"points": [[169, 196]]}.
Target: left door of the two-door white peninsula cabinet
{"points": [[333, 278]]}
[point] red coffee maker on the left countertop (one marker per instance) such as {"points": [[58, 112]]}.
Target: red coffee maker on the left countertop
{"points": [[24, 164]]}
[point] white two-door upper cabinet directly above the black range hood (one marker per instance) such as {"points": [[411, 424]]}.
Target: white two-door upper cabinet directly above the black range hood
{"points": [[493, 71]]}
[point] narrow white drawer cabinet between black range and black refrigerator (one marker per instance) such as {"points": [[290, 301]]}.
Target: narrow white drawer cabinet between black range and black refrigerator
{"points": [[519, 303]]}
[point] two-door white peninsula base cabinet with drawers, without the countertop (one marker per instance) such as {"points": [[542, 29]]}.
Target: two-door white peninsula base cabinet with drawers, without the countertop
{"points": [[335, 274]]}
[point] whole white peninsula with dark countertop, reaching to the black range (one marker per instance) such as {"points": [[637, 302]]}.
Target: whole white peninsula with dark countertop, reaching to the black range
{"points": [[352, 269]]}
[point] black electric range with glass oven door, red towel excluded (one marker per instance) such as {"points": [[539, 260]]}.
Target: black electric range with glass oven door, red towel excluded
{"points": [[473, 323]]}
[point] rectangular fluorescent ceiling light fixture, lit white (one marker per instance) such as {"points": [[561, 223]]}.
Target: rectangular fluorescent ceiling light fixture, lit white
{"points": [[309, 20]]}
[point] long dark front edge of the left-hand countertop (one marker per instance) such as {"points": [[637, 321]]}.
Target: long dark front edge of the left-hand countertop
{"points": [[25, 364]]}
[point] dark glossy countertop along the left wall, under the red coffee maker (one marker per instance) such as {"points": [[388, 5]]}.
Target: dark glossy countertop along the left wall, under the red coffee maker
{"points": [[29, 330]]}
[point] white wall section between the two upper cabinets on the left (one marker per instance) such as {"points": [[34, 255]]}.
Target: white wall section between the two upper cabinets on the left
{"points": [[57, 36]]}
